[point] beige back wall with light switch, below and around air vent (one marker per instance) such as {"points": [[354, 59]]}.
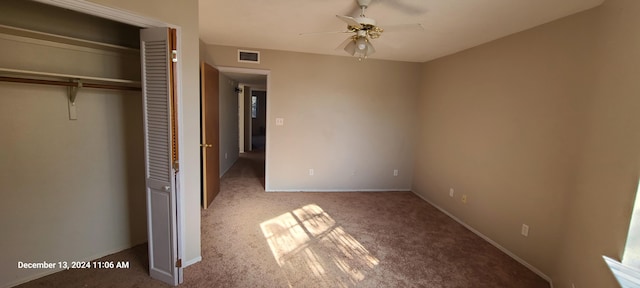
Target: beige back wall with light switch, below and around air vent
{"points": [[352, 122]]}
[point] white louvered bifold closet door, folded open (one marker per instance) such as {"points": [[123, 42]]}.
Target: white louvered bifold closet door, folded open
{"points": [[160, 180]]}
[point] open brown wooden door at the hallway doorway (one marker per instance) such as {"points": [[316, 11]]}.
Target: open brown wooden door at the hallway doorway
{"points": [[210, 134]]}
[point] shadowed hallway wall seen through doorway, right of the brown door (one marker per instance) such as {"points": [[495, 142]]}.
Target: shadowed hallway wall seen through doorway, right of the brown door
{"points": [[229, 147]]}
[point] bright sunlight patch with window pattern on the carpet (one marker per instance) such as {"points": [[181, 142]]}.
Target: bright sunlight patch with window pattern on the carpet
{"points": [[307, 242]]}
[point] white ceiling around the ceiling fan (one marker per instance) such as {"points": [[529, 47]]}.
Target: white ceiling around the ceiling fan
{"points": [[450, 25]]}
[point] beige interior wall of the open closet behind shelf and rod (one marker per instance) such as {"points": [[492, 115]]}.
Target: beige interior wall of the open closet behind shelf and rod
{"points": [[73, 190]]}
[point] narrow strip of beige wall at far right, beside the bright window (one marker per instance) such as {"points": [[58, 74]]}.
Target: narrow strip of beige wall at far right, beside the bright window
{"points": [[607, 172]]}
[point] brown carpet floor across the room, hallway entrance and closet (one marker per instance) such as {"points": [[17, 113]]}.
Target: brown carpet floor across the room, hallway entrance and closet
{"points": [[251, 238]]}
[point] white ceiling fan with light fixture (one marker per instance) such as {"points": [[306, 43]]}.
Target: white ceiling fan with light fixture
{"points": [[364, 29]]}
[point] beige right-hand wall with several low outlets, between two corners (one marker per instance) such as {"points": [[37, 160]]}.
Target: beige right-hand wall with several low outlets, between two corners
{"points": [[501, 124]]}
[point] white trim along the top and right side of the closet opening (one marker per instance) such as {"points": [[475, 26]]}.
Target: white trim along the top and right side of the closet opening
{"points": [[130, 18]]}
